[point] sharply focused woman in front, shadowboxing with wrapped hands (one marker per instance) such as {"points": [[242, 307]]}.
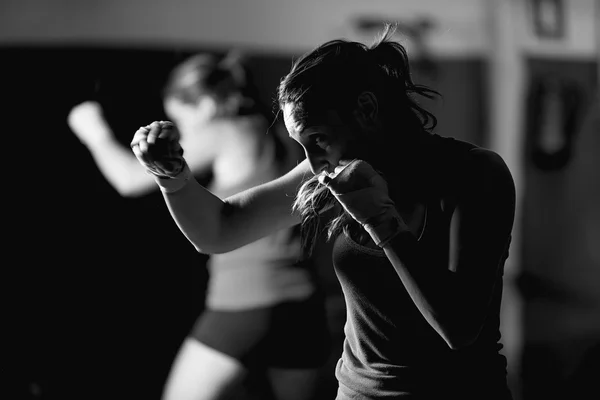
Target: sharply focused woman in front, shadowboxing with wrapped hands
{"points": [[421, 223]]}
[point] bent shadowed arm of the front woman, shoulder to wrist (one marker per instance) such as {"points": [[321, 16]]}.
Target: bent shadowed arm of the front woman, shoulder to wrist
{"points": [[455, 300]]}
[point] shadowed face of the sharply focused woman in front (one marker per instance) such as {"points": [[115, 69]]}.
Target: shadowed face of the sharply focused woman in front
{"points": [[326, 146]]}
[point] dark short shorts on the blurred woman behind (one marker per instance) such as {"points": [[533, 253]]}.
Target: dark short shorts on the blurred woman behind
{"points": [[292, 334]]}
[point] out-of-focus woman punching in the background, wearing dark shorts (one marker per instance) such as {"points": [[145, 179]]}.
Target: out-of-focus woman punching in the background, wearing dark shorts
{"points": [[265, 319]]}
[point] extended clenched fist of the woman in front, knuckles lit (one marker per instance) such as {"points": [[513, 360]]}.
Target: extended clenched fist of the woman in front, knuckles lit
{"points": [[157, 148]]}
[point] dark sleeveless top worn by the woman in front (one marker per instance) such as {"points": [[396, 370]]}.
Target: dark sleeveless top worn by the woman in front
{"points": [[390, 349]]}
